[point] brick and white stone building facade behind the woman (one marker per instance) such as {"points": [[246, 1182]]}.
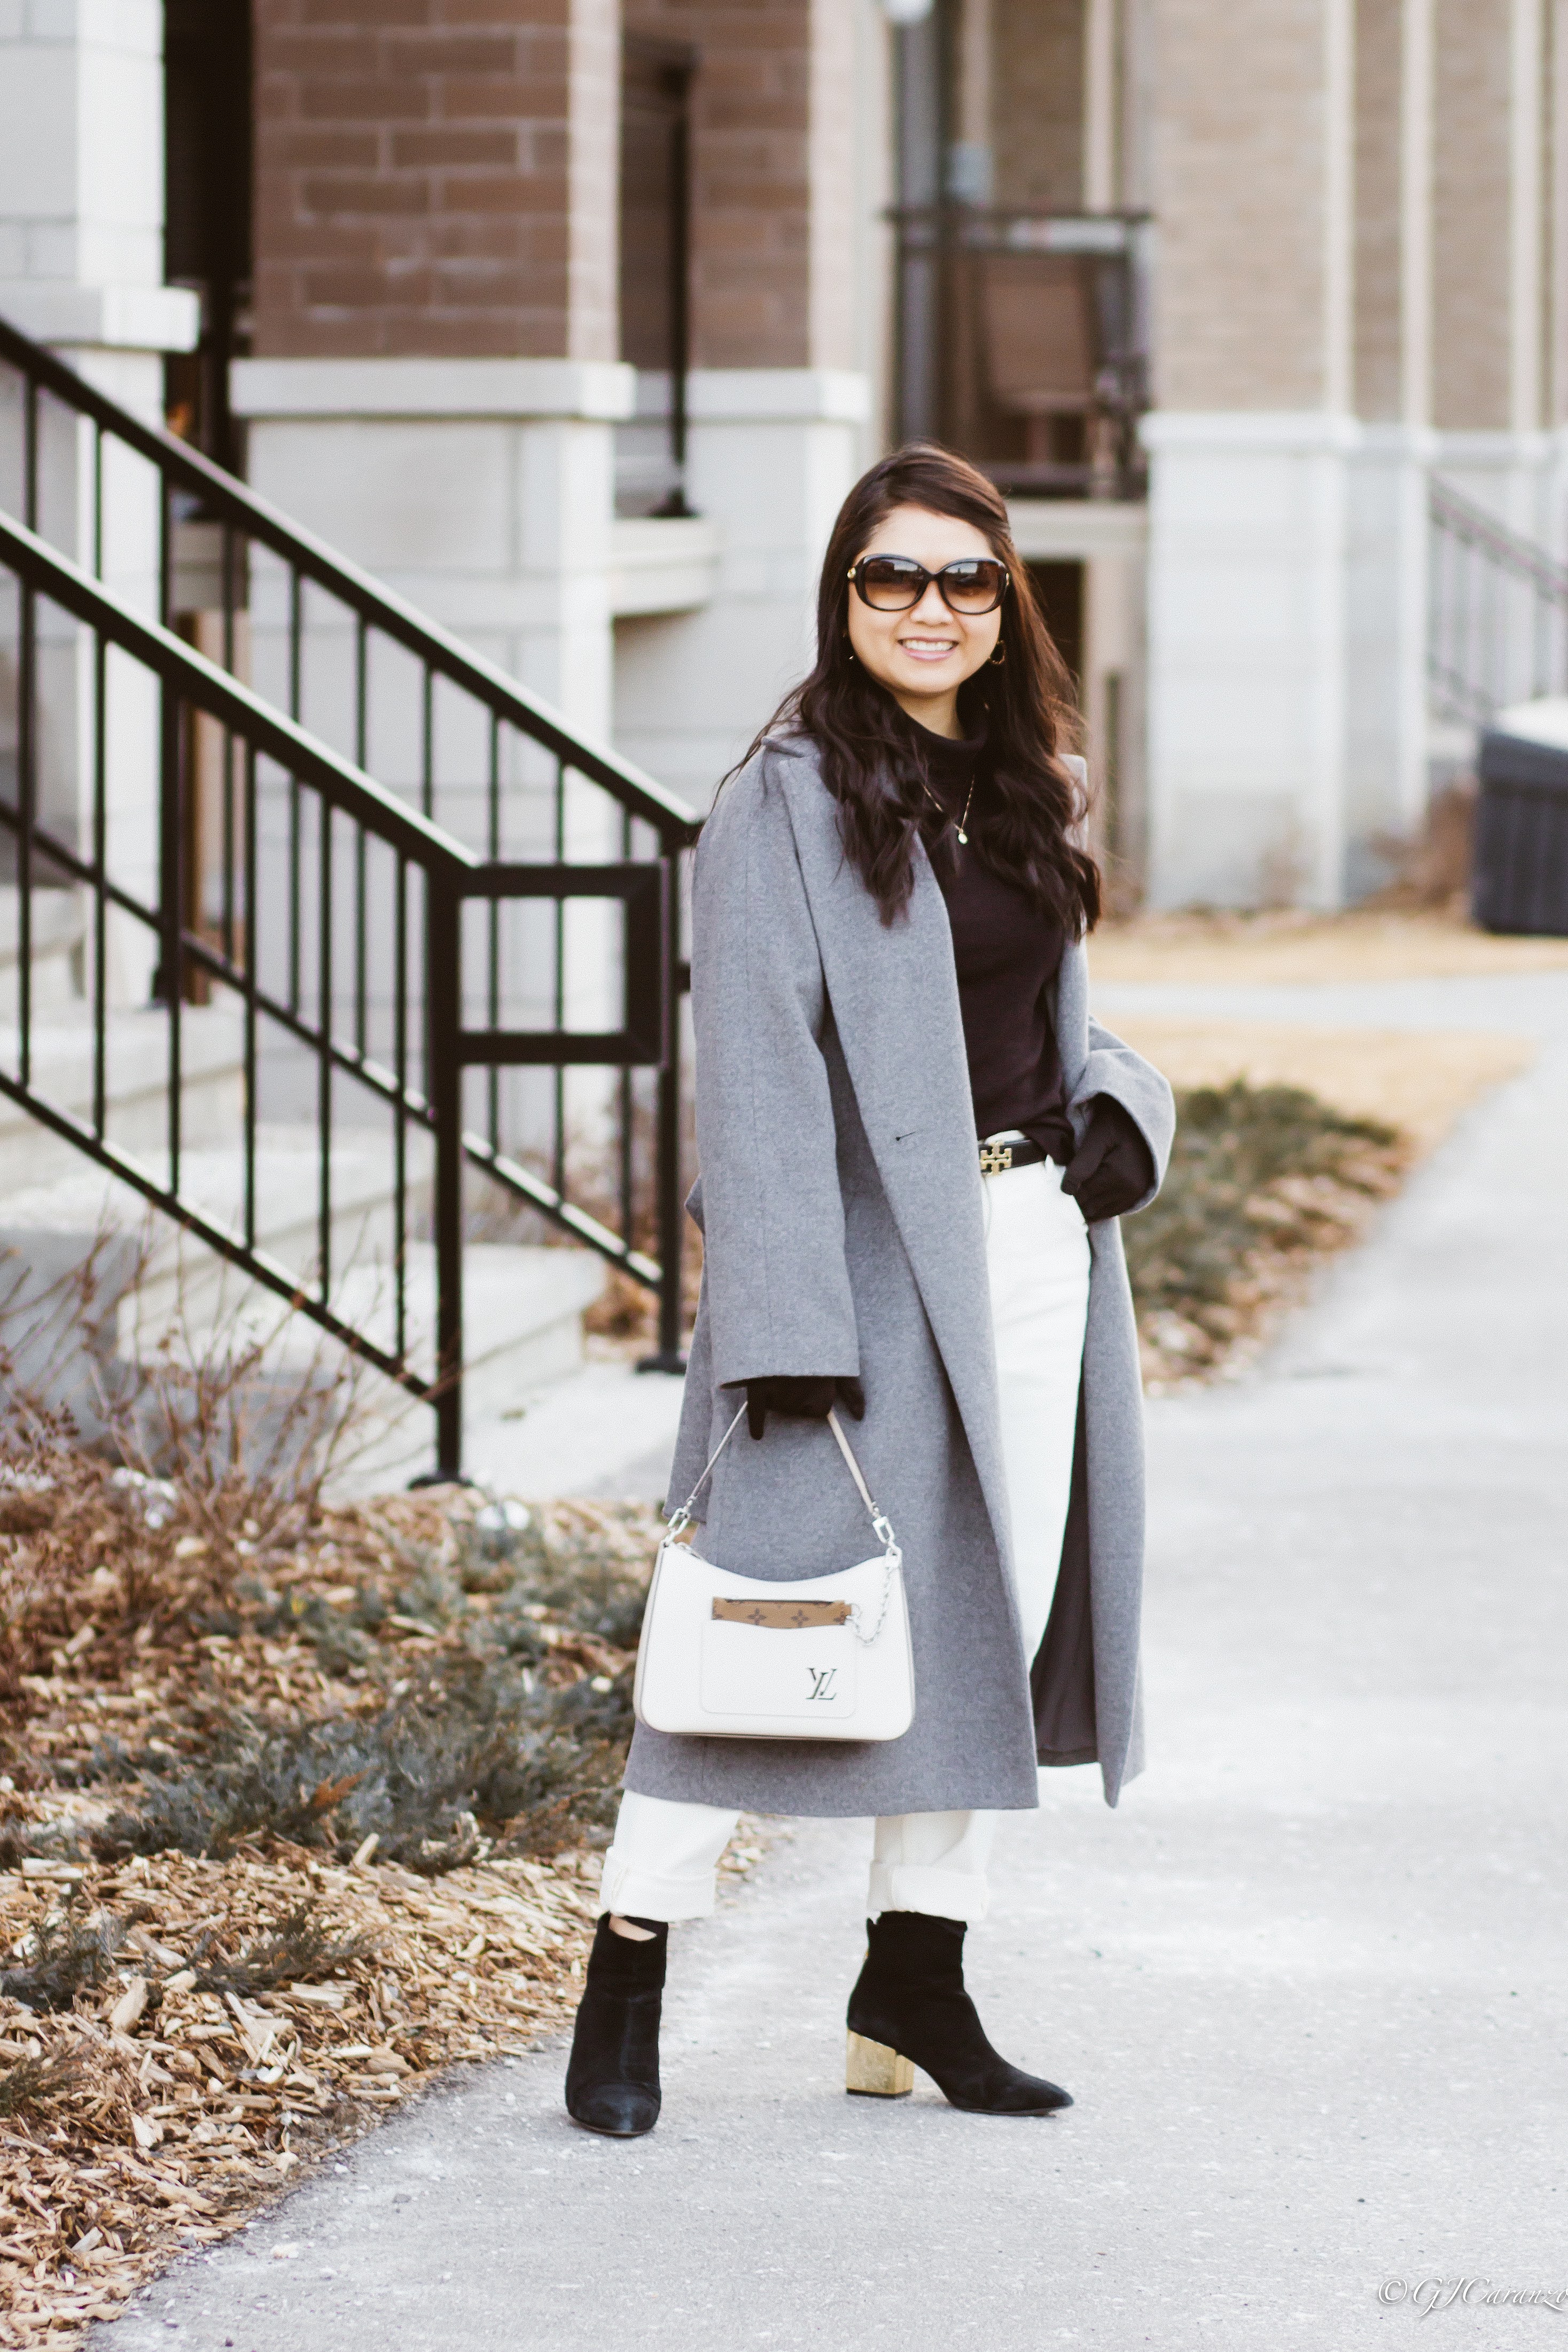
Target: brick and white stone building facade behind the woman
{"points": [[1313, 248]]}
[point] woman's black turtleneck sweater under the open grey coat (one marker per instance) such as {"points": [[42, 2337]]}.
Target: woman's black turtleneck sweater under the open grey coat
{"points": [[1005, 949]]}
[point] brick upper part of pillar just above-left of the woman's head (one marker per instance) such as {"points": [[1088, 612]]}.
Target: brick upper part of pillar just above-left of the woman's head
{"points": [[763, 114]]}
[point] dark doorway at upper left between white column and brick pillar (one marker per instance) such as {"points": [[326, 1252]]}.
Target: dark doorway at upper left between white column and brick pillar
{"points": [[208, 211]]}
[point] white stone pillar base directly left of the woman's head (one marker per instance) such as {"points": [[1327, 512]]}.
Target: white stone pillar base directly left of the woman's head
{"points": [[772, 455]]}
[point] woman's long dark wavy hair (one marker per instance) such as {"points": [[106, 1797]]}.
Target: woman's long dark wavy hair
{"points": [[871, 751]]}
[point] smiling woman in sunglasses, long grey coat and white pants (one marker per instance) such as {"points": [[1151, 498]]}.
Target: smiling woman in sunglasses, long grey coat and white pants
{"points": [[916, 1147]]}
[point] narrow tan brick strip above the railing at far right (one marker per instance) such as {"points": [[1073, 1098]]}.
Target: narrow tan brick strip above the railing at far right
{"points": [[1470, 218]]}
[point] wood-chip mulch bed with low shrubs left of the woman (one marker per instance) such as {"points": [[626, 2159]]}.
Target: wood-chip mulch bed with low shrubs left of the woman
{"points": [[297, 1810]]}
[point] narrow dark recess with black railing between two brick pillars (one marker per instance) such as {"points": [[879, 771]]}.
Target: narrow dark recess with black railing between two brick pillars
{"points": [[657, 269]]}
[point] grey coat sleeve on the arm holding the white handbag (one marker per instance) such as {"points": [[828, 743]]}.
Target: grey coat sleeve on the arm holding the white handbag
{"points": [[772, 1210]]}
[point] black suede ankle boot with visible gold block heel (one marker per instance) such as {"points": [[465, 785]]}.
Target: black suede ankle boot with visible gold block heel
{"points": [[911, 2010]]}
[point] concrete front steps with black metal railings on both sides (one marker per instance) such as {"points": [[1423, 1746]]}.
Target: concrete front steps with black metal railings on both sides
{"points": [[267, 1010]]}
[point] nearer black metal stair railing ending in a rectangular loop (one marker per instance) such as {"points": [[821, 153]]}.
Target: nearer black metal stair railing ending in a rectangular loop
{"points": [[453, 876]]}
